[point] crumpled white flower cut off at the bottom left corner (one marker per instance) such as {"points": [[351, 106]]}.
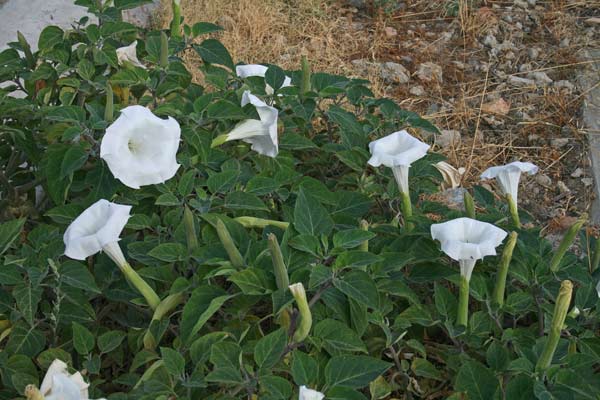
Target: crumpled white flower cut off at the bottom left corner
{"points": [[58, 384]]}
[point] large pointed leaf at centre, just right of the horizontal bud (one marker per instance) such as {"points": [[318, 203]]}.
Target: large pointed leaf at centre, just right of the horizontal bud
{"points": [[310, 217]]}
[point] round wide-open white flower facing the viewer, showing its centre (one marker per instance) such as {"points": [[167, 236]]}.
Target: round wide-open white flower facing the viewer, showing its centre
{"points": [[140, 148]]}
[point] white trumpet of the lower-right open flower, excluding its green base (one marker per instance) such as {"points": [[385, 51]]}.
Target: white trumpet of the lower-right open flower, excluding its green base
{"points": [[467, 240]]}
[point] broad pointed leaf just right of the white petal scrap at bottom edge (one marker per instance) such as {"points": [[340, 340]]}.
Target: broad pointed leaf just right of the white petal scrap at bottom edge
{"points": [[353, 371]]}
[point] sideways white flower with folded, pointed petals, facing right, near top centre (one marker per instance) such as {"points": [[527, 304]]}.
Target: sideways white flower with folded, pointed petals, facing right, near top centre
{"points": [[261, 134]]}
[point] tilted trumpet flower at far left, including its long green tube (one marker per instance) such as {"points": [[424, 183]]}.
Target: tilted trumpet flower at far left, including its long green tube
{"points": [[98, 229]]}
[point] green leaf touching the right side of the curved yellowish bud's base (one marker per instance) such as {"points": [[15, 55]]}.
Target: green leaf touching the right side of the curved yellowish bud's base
{"points": [[338, 338]]}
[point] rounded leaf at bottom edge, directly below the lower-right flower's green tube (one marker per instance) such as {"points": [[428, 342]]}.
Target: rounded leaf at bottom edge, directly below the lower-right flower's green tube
{"points": [[477, 380]]}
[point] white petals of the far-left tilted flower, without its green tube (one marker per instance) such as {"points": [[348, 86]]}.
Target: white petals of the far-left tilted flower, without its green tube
{"points": [[95, 229]]}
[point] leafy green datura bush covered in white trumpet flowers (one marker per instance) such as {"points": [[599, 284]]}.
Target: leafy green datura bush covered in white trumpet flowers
{"points": [[236, 239]]}
